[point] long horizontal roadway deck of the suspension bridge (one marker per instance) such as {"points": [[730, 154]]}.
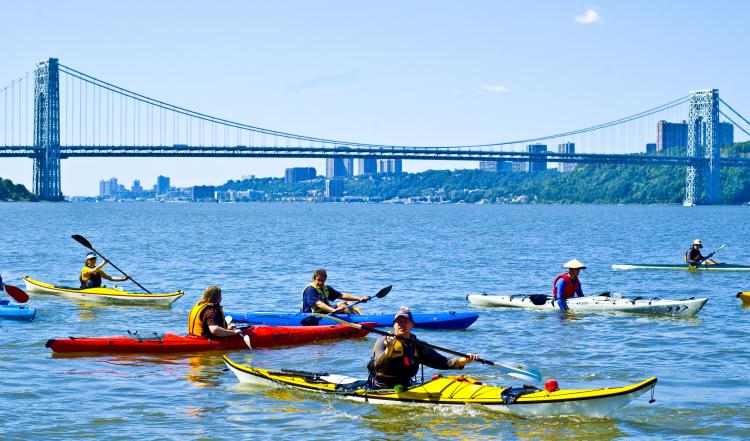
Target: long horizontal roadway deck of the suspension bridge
{"points": [[418, 153]]}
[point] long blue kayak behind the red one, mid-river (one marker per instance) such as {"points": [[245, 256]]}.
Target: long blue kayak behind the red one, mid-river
{"points": [[445, 320]]}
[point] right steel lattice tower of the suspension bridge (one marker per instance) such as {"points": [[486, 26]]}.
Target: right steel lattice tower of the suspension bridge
{"points": [[703, 136]]}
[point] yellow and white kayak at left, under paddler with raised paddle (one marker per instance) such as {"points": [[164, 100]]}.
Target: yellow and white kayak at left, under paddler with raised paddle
{"points": [[102, 294]]}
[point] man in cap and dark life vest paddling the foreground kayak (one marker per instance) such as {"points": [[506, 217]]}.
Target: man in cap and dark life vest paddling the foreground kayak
{"points": [[396, 362]]}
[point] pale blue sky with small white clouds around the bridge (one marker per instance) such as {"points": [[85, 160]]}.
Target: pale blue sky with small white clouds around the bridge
{"points": [[390, 72]]}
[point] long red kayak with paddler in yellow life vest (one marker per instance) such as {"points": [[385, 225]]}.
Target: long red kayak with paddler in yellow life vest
{"points": [[260, 337]]}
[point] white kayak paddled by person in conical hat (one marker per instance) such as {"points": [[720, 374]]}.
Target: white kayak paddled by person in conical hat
{"points": [[605, 302]]}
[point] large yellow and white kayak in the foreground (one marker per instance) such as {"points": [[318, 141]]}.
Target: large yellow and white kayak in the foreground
{"points": [[455, 390]]}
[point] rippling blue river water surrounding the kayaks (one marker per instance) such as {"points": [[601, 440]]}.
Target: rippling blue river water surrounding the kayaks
{"points": [[262, 255]]}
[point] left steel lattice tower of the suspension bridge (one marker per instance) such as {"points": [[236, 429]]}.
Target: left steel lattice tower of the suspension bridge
{"points": [[47, 130]]}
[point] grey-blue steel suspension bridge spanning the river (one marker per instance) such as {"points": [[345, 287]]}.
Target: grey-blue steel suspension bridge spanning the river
{"points": [[54, 112]]}
